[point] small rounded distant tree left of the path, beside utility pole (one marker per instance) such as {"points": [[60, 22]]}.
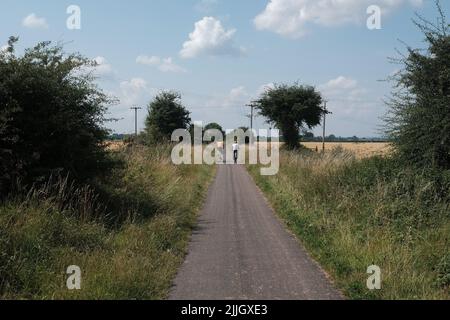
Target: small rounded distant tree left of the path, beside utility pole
{"points": [[165, 115]]}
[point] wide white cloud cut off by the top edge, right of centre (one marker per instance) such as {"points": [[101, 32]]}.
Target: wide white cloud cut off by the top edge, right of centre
{"points": [[291, 17]]}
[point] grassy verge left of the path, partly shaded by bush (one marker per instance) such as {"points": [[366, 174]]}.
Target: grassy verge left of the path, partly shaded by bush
{"points": [[128, 236]]}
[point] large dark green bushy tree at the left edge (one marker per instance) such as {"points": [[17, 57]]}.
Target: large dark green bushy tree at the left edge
{"points": [[51, 116]]}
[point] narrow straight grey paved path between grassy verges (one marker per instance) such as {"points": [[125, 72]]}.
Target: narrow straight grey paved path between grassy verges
{"points": [[240, 250]]}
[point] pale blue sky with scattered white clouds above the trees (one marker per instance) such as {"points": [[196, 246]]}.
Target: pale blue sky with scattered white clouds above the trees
{"points": [[220, 54]]}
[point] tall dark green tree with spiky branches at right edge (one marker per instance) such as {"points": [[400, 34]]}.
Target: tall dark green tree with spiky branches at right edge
{"points": [[419, 110]]}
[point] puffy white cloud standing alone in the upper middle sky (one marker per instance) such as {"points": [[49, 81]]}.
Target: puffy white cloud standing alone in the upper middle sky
{"points": [[210, 38]]}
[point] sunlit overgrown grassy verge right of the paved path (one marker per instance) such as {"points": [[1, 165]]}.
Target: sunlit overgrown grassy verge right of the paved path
{"points": [[351, 214]]}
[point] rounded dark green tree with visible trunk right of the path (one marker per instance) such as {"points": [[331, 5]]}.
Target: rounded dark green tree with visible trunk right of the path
{"points": [[291, 108]]}
